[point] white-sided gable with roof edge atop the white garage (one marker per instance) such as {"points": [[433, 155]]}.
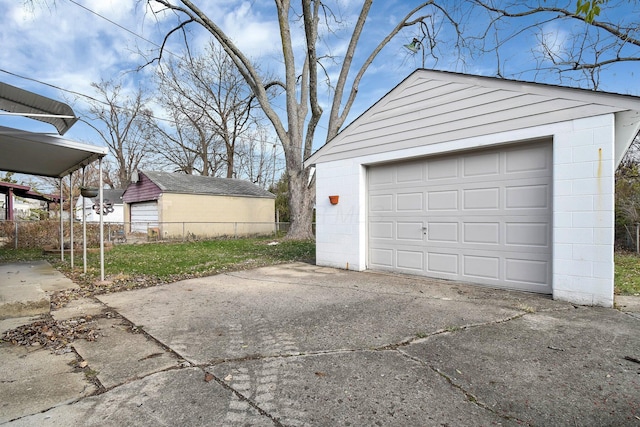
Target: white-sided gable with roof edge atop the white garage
{"points": [[431, 107]]}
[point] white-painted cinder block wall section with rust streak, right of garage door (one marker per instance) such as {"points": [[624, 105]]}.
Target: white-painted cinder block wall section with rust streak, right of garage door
{"points": [[583, 220]]}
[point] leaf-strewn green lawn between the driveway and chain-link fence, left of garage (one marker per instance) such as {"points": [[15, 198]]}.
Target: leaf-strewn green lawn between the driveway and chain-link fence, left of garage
{"points": [[132, 266]]}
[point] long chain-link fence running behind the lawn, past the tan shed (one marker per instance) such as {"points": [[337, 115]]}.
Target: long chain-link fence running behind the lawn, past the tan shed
{"points": [[46, 234]]}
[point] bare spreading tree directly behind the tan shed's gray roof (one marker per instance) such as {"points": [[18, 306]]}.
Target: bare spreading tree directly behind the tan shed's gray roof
{"points": [[211, 104]]}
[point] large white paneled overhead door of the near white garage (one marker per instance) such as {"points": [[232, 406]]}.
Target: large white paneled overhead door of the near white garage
{"points": [[482, 217]]}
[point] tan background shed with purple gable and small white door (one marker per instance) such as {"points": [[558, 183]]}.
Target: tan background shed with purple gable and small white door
{"points": [[175, 205]]}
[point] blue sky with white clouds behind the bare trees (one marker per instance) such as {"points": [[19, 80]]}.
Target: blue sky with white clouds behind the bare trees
{"points": [[69, 44]]}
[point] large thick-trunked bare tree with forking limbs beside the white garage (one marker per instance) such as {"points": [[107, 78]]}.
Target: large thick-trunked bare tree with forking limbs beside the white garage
{"points": [[301, 83]]}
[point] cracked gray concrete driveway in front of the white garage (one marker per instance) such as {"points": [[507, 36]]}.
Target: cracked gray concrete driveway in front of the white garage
{"points": [[300, 345]]}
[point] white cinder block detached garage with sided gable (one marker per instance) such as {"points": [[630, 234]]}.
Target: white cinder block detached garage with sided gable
{"points": [[476, 179]]}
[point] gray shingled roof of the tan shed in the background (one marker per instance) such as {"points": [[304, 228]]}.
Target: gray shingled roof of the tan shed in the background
{"points": [[196, 184]]}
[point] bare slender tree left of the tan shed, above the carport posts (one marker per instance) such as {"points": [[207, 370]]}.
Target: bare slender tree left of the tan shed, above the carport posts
{"points": [[123, 127]]}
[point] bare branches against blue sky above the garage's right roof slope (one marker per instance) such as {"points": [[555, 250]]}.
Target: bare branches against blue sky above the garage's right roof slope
{"points": [[574, 45]]}
